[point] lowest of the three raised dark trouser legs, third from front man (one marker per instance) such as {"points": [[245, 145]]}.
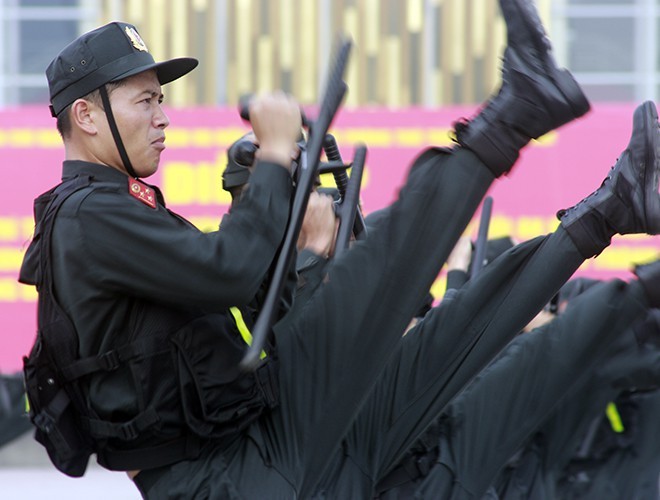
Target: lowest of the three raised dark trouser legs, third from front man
{"points": [[516, 393]]}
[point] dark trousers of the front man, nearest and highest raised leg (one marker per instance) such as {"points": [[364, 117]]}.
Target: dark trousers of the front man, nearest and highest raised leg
{"points": [[333, 348]]}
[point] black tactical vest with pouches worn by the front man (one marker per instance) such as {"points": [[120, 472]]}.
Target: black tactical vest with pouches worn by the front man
{"points": [[157, 397]]}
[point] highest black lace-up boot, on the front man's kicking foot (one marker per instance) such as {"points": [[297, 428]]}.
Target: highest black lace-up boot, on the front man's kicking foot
{"points": [[535, 96]]}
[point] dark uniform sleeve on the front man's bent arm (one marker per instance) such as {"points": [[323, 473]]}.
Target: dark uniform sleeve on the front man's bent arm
{"points": [[133, 249]]}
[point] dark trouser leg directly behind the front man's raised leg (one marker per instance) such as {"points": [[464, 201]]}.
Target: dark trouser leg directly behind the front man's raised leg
{"points": [[440, 356]]}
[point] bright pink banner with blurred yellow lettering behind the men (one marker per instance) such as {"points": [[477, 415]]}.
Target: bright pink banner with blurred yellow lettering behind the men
{"points": [[554, 172]]}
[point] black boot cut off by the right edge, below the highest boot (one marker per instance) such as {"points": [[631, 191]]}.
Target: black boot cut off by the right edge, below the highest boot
{"points": [[628, 201]]}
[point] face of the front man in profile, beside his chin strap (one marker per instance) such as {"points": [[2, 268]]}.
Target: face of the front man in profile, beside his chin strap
{"points": [[141, 121]]}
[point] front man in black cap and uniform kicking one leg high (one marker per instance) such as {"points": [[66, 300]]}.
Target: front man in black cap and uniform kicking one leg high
{"points": [[146, 289]]}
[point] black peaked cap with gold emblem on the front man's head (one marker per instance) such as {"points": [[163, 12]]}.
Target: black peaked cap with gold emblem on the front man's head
{"points": [[107, 54]]}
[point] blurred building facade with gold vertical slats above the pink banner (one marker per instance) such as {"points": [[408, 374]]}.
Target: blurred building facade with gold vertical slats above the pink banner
{"points": [[418, 52]]}
